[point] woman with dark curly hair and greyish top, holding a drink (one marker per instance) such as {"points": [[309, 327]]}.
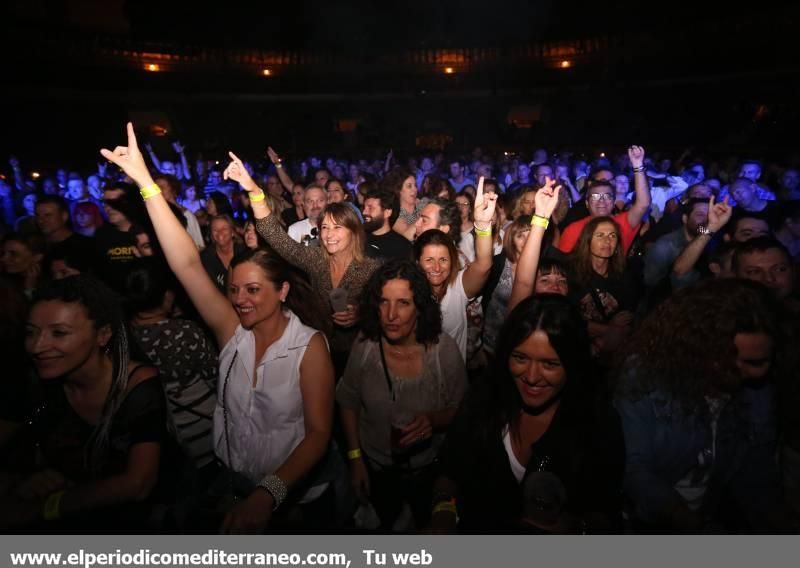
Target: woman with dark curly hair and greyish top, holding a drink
{"points": [[402, 385]]}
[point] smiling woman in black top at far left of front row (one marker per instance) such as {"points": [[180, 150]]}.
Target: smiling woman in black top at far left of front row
{"points": [[103, 434]]}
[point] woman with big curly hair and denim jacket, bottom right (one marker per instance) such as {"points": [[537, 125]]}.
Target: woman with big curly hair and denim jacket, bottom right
{"points": [[697, 412]]}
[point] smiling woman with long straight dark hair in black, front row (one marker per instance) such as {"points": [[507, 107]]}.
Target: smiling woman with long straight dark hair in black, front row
{"points": [[530, 450]]}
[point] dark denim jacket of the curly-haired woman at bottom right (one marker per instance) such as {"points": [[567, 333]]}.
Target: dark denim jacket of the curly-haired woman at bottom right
{"points": [[663, 442]]}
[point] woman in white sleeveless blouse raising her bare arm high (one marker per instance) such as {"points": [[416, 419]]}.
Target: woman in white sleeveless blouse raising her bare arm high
{"points": [[272, 424]]}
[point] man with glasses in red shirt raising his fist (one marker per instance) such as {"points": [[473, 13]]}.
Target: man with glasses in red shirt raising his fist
{"points": [[600, 202]]}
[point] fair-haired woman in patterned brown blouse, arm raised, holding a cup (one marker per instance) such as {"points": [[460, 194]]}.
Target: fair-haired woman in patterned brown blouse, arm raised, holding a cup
{"points": [[337, 265]]}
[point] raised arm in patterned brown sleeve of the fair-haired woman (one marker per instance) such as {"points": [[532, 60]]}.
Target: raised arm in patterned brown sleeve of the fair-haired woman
{"points": [[267, 224]]}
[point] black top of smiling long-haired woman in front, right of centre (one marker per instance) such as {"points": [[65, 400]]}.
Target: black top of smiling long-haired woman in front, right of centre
{"points": [[583, 449]]}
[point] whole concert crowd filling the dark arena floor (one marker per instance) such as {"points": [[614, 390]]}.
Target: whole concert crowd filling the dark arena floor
{"points": [[510, 344]]}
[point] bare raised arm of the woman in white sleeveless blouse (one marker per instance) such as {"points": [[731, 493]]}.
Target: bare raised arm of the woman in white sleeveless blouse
{"points": [[180, 250]]}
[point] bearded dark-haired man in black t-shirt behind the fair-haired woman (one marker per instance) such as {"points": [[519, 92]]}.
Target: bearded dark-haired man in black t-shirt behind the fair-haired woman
{"points": [[380, 212]]}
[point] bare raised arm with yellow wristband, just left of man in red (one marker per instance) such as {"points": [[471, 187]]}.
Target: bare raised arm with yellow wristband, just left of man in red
{"points": [[528, 262]]}
